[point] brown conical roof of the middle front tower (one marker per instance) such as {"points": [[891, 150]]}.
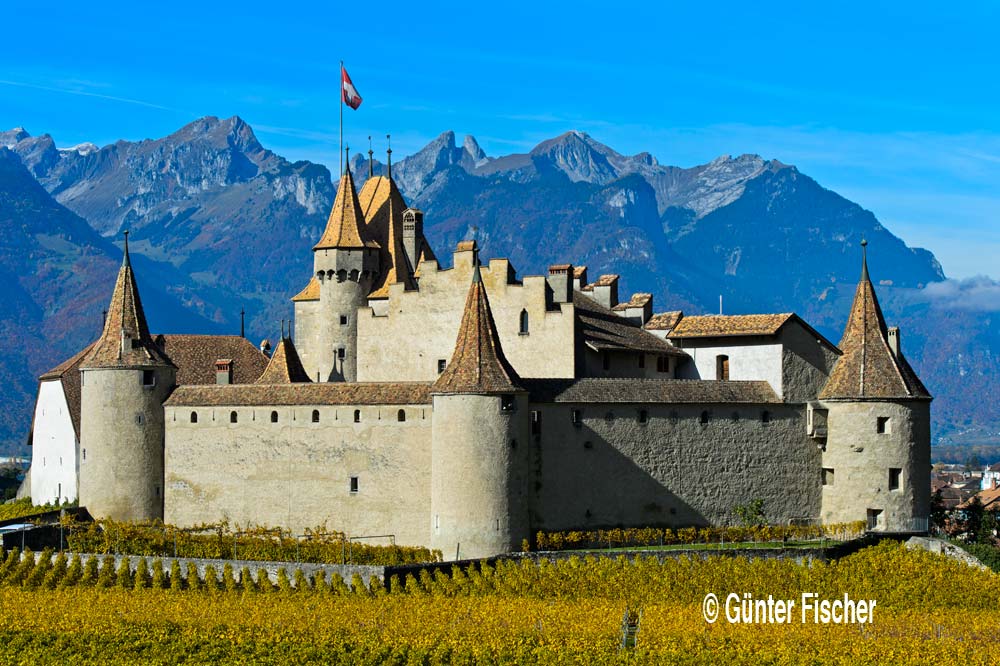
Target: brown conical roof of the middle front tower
{"points": [[478, 364]]}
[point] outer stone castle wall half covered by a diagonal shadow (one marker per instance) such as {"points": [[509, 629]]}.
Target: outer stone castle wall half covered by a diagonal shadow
{"points": [[613, 470]]}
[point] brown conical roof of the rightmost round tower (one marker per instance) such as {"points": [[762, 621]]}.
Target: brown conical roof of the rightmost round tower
{"points": [[868, 369]]}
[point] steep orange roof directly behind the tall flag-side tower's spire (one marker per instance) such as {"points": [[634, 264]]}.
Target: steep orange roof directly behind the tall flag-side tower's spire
{"points": [[382, 205]]}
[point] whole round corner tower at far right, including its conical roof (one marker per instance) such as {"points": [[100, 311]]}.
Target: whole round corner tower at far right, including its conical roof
{"points": [[876, 462]]}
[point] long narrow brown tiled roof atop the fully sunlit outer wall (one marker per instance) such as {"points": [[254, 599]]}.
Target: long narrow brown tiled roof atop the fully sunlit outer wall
{"points": [[324, 393]]}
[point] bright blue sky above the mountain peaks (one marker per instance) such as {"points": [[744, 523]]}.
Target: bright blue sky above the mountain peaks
{"points": [[893, 105]]}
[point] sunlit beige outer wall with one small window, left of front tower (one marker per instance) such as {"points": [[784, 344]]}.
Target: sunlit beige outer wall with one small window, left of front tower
{"points": [[296, 473]]}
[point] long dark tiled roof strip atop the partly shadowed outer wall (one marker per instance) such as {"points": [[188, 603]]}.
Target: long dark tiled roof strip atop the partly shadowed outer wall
{"points": [[679, 391]]}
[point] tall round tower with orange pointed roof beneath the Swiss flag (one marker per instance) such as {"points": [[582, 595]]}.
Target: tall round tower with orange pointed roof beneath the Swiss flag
{"points": [[345, 265]]}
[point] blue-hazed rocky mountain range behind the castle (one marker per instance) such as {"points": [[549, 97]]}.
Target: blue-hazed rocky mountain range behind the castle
{"points": [[221, 223]]}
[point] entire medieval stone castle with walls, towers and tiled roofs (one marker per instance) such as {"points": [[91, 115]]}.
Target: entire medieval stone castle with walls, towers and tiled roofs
{"points": [[465, 408]]}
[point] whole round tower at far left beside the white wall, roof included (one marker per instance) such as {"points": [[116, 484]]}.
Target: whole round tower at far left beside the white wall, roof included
{"points": [[124, 380]]}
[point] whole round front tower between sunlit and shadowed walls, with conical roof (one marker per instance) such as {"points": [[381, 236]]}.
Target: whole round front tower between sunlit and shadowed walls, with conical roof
{"points": [[479, 442]]}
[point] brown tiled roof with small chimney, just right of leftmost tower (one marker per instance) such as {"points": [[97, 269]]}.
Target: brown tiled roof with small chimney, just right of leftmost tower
{"points": [[195, 357]]}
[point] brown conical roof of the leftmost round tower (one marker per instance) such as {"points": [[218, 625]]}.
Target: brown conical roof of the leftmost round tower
{"points": [[125, 340]]}
